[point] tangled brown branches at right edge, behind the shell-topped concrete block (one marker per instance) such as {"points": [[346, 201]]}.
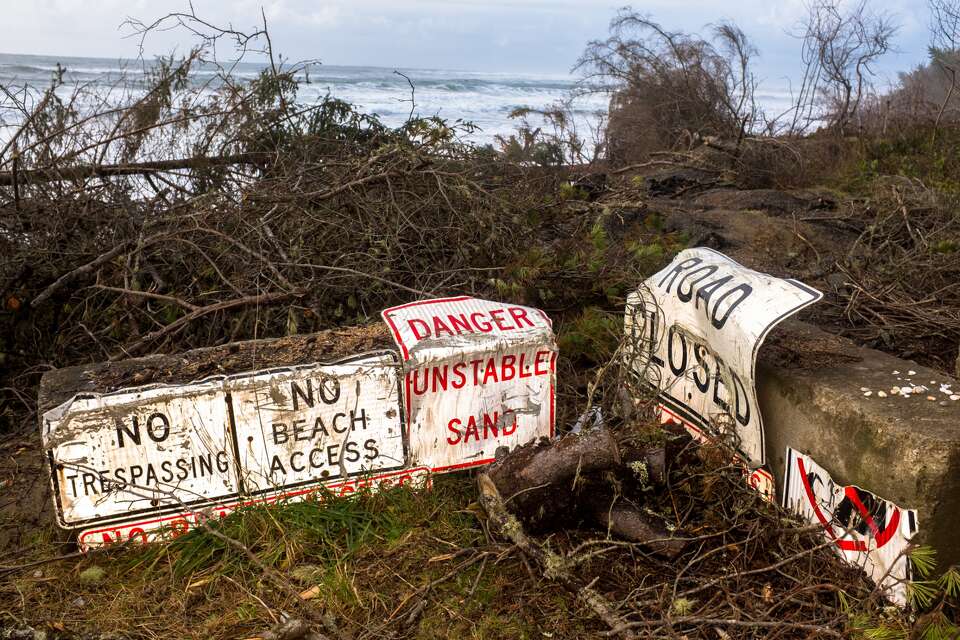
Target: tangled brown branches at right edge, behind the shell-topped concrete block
{"points": [[900, 289]]}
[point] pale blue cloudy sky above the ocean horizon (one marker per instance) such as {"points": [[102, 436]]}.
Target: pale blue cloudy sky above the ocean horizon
{"points": [[539, 36]]}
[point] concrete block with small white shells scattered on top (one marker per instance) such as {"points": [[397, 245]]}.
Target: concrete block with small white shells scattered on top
{"points": [[828, 398]]}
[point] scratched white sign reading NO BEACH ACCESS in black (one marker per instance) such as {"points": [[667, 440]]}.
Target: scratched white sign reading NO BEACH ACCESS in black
{"points": [[318, 422]]}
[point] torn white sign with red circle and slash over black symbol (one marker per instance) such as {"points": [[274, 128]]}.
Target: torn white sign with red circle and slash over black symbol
{"points": [[869, 532]]}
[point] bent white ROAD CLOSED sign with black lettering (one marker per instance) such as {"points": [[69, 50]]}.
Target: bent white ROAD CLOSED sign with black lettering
{"points": [[693, 331]]}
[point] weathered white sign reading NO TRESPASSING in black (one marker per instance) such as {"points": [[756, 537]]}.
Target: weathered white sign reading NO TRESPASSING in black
{"points": [[140, 451]]}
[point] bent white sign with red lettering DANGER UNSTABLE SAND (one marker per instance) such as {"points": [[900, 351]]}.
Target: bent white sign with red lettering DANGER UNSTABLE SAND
{"points": [[477, 375]]}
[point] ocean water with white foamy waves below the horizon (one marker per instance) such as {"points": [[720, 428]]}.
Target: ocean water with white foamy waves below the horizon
{"points": [[484, 99]]}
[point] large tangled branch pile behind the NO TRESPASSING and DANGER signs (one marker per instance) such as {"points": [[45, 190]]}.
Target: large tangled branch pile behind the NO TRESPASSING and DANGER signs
{"points": [[187, 208]]}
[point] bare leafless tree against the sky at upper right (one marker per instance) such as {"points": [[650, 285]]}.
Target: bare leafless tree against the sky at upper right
{"points": [[839, 49]]}
